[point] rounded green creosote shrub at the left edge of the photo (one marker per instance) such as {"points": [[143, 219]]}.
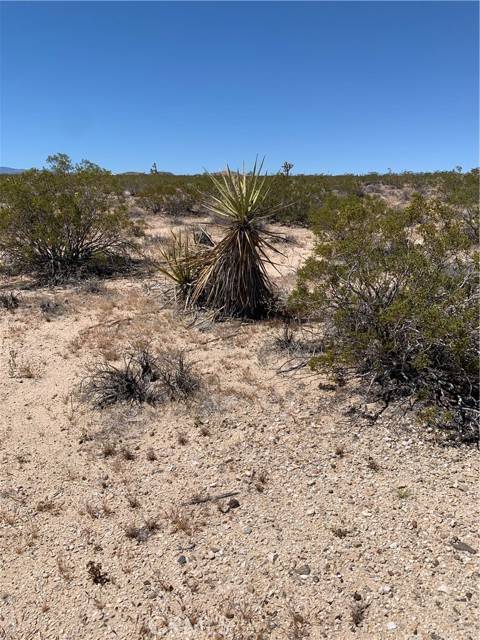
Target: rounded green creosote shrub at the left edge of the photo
{"points": [[58, 224]]}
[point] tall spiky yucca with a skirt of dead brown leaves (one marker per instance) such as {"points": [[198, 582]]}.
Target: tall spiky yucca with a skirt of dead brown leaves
{"points": [[232, 276]]}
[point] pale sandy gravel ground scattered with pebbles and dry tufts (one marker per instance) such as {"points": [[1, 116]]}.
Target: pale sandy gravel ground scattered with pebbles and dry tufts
{"points": [[339, 527]]}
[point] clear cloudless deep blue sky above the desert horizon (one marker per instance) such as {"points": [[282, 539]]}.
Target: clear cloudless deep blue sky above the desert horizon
{"points": [[333, 87]]}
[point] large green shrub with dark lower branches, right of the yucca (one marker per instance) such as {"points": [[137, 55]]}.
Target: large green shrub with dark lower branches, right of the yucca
{"points": [[397, 291]]}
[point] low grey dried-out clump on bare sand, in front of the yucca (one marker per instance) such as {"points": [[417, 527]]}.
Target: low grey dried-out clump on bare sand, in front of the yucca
{"points": [[142, 378]]}
